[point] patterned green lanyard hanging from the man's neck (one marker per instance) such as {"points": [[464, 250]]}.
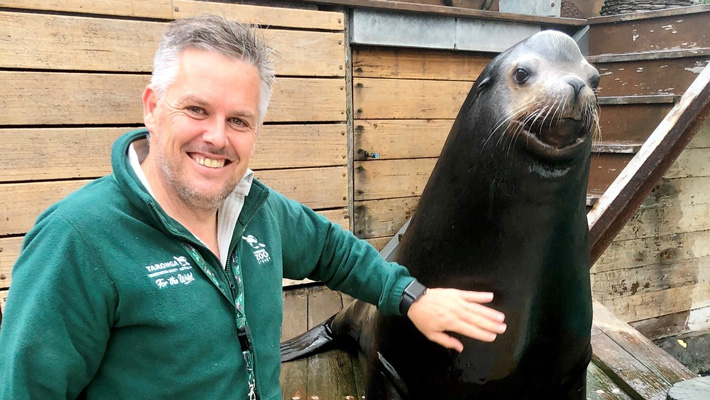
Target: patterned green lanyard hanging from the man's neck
{"points": [[243, 332]]}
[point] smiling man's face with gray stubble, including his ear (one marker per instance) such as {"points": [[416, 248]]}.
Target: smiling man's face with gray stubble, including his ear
{"points": [[203, 130]]}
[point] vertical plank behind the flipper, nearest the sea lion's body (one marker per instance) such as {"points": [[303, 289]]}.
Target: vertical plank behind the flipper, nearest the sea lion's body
{"points": [[330, 374]]}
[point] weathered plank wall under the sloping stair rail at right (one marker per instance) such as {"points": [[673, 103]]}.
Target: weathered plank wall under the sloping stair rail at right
{"points": [[656, 273]]}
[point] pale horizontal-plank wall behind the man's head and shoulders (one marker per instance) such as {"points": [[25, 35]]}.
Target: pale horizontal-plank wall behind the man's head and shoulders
{"points": [[71, 78]]}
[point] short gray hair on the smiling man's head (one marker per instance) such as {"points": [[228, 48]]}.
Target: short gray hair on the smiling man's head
{"points": [[216, 34]]}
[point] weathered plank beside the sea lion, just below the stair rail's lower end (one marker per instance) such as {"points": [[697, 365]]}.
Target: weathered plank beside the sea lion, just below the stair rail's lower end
{"points": [[649, 278]]}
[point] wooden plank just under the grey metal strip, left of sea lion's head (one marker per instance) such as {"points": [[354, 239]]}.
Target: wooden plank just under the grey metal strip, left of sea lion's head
{"points": [[378, 62]]}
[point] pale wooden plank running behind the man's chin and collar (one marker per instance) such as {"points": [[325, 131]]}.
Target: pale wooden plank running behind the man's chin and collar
{"points": [[315, 187]]}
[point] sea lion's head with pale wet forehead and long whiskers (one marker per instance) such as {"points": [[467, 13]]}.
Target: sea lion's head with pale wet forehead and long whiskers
{"points": [[542, 93]]}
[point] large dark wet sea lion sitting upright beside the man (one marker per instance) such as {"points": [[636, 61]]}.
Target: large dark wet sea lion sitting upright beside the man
{"points": [[503, 211]]}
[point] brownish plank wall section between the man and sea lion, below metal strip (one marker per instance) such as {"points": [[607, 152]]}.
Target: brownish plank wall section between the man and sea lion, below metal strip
{"points": [[404, 103]]}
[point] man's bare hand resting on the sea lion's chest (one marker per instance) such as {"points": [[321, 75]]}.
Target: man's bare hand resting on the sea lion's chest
{"points": [[452, 310]]}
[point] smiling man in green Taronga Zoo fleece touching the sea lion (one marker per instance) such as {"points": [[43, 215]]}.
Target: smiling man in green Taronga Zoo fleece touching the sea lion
{"points": [[163, 279]]}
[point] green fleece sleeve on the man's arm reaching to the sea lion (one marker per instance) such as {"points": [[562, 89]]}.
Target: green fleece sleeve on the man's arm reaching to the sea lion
{"points": [[320, 250]]}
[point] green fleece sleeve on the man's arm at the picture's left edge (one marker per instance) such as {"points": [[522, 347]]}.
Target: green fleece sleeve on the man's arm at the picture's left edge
{"points": [[58, 315]]}
